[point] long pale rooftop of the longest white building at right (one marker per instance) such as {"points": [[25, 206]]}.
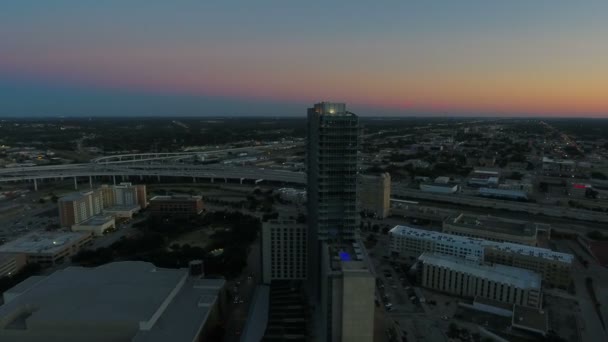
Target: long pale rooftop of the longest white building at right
{"points": [[463, 240]]}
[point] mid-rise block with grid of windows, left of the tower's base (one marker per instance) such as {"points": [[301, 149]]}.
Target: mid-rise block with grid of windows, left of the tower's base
{"points": [[284, 250]]}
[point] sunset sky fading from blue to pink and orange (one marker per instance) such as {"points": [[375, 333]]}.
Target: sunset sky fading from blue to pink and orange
{"points": [[212, 58]]}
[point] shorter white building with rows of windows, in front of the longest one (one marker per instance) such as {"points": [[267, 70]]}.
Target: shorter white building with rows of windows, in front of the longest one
{"points": [[467, 278]]}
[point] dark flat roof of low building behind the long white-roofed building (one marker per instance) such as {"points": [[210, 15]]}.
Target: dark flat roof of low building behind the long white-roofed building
{"points": [[493, 224]]}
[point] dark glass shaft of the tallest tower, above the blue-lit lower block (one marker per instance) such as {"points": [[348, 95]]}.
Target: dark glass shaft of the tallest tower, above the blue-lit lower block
{"points": [[332, 145]]}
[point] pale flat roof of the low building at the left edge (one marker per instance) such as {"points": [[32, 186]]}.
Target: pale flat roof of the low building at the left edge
{"points": [[42, 242]]}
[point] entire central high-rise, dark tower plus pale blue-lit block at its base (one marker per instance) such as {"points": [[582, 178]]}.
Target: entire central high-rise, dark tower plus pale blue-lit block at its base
{"points": [[340, 283]]}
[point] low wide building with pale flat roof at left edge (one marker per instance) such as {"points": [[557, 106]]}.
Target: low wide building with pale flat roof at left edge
{"points": [[47, 248]]}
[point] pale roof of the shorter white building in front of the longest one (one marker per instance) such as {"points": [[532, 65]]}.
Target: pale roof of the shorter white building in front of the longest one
{"points": [[514, 276]]}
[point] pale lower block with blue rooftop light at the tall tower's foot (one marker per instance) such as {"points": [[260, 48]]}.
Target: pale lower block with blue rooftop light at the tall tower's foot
{"points": [[347, 293]]}
